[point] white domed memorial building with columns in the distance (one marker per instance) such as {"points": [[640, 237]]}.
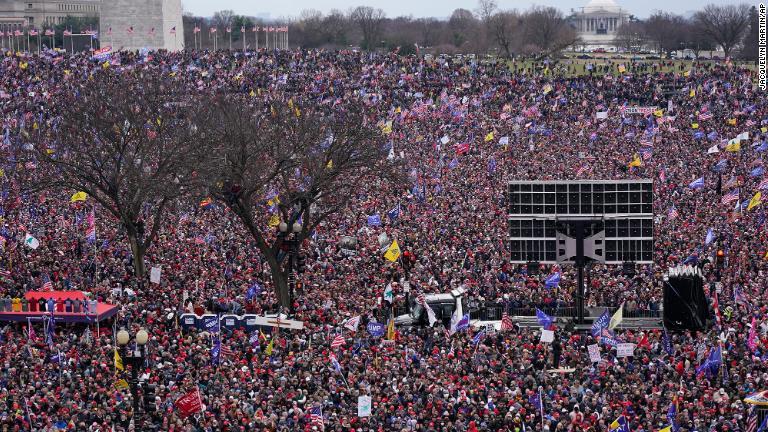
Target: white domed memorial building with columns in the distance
{"points": [[597, 23]]}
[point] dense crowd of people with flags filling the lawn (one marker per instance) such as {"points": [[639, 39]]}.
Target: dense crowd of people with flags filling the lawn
{"points": [[518, 124]]}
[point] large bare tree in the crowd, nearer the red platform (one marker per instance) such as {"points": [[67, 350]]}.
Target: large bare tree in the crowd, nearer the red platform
{"points": [[123, 141]]}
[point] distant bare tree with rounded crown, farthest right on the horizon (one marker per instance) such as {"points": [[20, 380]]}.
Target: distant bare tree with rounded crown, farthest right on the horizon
{"points": [[725, 25]]}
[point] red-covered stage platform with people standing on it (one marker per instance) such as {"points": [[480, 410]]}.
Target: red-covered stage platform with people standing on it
{"points": [[103, 310]]}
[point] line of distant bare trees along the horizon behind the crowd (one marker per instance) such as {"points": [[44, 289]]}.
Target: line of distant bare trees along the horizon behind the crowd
{"points": [[488, 29]]}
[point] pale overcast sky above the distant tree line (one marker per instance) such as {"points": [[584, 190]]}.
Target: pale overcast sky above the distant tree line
{"points": [[422, 8]]}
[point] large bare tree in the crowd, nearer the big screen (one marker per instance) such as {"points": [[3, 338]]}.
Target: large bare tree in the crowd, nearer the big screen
{"points": [[313, 159]]}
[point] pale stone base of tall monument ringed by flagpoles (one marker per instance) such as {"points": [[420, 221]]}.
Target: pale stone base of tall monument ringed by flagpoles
{"points": [[137, 24]]}
